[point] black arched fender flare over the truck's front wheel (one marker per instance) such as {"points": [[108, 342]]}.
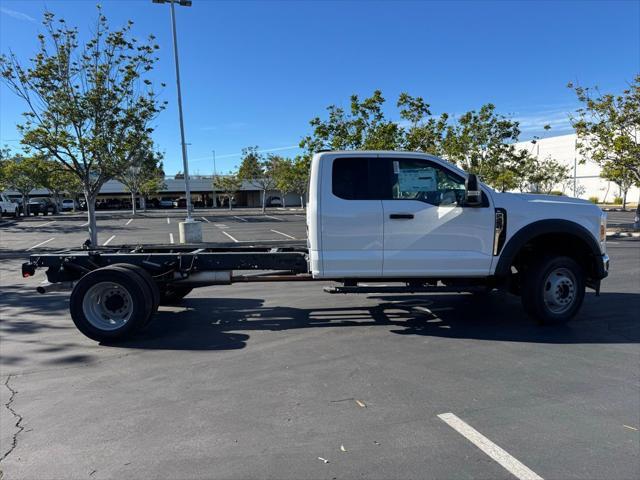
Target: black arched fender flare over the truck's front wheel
{"points": [[542, 227]]}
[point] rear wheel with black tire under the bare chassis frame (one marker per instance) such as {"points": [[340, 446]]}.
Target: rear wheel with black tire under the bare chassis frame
{"points": [[127, 293]]}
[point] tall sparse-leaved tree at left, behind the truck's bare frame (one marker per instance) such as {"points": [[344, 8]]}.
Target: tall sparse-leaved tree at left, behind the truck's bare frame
{"points": [[89, 106]]}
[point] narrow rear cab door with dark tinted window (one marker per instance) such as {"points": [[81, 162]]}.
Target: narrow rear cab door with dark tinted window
{"points": [[351, 213]]}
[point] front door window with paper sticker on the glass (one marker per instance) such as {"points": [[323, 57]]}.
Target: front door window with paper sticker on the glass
{"points": [[426, 182]]}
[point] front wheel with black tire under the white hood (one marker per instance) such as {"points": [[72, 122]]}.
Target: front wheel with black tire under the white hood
{"points": [[553, 289]]}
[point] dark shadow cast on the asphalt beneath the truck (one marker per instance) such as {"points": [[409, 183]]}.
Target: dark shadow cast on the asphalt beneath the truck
{"points": [[214, 324]]}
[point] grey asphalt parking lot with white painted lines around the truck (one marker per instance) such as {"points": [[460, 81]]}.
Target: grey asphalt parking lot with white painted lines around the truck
{"points": [[284, 381]]}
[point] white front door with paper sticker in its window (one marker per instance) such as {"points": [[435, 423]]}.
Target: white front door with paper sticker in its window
{"points": [[427, 230]]}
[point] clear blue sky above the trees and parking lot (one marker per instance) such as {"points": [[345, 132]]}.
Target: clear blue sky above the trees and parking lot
{"points": [[255, 73]]}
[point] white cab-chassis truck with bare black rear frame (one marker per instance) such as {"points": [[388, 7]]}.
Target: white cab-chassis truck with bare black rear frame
{"points": [[377, 222]]}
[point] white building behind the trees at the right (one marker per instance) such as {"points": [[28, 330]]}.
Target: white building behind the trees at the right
{"points": [[584, 180]]}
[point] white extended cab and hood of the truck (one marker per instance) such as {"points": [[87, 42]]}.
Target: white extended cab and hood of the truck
{"points": [[407, 216]]}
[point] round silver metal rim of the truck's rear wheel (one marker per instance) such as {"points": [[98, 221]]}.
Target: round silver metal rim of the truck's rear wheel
{"points": [[107, 305]]}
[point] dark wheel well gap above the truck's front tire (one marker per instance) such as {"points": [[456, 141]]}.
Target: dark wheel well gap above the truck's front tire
{"points": [[560, 244]]}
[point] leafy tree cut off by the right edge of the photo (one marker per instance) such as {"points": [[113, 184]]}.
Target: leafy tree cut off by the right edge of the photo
{"points": [[608, 129]]}
